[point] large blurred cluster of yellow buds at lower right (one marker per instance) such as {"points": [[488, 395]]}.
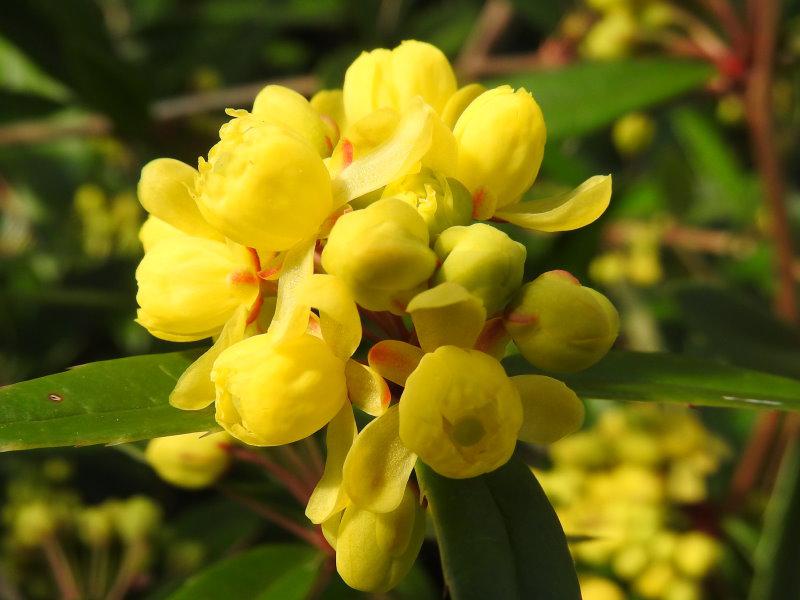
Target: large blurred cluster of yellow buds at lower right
{"points": [[623, 483]]}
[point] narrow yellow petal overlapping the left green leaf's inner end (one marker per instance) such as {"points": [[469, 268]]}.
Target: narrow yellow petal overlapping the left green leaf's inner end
{"points": [[194, 389]]}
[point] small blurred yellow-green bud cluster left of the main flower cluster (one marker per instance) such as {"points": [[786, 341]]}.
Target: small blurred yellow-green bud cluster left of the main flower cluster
{"points": [[108, 225]]}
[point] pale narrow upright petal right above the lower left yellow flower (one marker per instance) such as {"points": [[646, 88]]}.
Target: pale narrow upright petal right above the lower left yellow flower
{"points": [[291, 311]]}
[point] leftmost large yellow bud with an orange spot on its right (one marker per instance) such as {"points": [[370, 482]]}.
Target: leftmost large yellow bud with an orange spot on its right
{"points": [[189, 287]]}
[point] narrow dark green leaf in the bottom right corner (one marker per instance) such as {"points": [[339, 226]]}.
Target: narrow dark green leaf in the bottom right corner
{"points": [[776, 574]]}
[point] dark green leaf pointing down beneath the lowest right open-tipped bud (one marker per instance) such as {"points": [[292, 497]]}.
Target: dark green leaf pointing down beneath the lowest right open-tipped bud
{"points": [[498, 536]]}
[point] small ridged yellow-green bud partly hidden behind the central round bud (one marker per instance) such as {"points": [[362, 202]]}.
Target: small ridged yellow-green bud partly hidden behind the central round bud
{"points": [[441, 201]]}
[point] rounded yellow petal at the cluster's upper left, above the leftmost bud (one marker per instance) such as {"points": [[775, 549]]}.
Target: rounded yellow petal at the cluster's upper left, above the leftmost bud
{"points": [[165, 191]]}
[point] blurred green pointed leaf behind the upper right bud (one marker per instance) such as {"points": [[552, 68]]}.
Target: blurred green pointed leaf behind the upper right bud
{"points": [[587, 96]]}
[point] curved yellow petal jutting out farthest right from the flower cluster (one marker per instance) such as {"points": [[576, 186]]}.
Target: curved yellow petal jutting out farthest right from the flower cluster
{"points": [[564, 212]]}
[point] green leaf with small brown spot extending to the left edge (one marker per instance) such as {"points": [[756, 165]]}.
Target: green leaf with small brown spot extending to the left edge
{"points": [[106, 402]]}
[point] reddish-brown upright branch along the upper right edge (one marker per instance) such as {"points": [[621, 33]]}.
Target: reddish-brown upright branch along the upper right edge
{"points": [[758, 106]]}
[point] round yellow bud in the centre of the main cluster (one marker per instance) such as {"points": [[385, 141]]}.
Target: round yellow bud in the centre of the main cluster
{"points": [[382, 254]]}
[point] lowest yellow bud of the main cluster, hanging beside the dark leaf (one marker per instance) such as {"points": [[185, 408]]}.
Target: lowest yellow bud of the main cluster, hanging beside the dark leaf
{"points": [[374, 551]]}
